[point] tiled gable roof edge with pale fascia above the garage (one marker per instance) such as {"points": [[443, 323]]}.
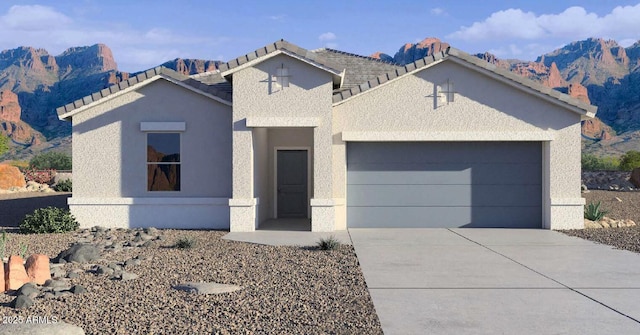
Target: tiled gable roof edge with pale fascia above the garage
{"points": [[477, 64]]}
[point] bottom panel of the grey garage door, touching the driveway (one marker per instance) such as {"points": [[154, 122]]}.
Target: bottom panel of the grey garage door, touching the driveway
{"points": [[443, 217]]}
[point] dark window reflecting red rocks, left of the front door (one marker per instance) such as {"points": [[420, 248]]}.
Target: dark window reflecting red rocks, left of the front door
{"points": [[163, 162]]}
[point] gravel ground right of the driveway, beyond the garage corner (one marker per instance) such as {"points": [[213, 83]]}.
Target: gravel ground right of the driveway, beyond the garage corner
{"points": [[628, 208]]}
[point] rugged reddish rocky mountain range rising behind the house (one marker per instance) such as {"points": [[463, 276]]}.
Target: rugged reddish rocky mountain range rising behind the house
{"points": [[33, 83]]}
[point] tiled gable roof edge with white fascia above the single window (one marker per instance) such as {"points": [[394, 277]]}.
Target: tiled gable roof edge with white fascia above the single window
{"points": [[213, 91]]}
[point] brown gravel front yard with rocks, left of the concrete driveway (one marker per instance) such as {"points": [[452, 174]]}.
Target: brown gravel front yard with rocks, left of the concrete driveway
{"points": [[286, 290]]}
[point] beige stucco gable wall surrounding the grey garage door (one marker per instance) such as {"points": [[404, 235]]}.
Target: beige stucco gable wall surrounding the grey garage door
{"points": [[483, 108]]}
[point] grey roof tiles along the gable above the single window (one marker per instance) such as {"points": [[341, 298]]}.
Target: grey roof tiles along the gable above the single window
{"points": [[215, 90]]}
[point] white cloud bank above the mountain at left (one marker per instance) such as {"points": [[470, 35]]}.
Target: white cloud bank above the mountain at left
{"points": [[133, 49]]}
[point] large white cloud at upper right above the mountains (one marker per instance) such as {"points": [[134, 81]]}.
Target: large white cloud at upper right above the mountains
{"points": [[573, 23]]}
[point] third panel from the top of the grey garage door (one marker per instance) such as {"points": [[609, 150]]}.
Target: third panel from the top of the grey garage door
{"points": [[443, 195]]}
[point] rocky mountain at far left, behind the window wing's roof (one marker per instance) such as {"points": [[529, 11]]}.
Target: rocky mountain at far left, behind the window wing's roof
{"points": [[33, 83]]}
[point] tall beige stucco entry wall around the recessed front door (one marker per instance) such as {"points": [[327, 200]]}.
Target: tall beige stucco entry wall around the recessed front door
{"points": [[308, 96]]}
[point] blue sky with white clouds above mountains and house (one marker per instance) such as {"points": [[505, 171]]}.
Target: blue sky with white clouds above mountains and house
{"points": [[143, 34]]}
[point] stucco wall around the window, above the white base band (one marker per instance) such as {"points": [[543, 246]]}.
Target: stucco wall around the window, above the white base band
{"points": [[109, 149]]}
